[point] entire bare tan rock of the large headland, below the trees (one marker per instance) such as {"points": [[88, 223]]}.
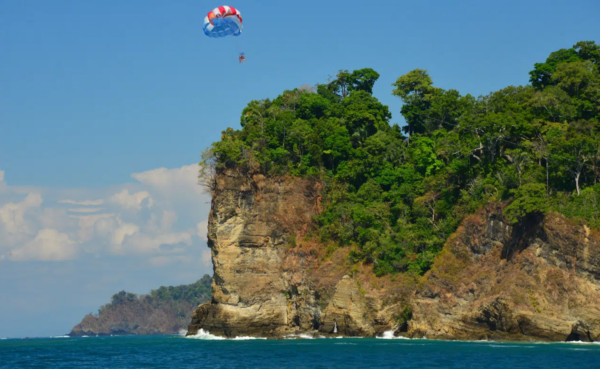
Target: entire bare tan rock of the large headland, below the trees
{"points": [[539, 280]]}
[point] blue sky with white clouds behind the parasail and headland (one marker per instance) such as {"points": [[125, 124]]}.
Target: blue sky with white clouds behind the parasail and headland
{"points": [[98, 96]]}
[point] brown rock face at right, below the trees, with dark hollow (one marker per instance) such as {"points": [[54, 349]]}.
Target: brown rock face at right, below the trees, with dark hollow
{"points": [[536, 280]]}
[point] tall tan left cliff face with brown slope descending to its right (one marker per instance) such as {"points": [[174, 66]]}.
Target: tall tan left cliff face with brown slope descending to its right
{"points": [[268, 281]]}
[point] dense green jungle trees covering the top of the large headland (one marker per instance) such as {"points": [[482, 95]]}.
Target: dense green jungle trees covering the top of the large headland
{"points": [[396, 193]]}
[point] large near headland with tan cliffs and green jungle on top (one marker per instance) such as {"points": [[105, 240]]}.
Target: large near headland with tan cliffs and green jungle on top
{"points": [[478, 218]]}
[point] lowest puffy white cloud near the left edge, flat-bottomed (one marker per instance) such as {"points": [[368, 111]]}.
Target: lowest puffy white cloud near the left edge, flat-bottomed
{"points": [[48, 245]]}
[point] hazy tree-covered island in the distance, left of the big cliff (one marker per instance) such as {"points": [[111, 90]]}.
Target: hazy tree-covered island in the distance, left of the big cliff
{"points": [[165, 311]]}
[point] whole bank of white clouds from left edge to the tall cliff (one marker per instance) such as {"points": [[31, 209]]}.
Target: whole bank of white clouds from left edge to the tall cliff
{"points": [[161, 216]]}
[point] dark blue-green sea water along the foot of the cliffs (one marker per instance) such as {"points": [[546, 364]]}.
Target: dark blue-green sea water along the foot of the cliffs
{"points": [[180, 353]]}
